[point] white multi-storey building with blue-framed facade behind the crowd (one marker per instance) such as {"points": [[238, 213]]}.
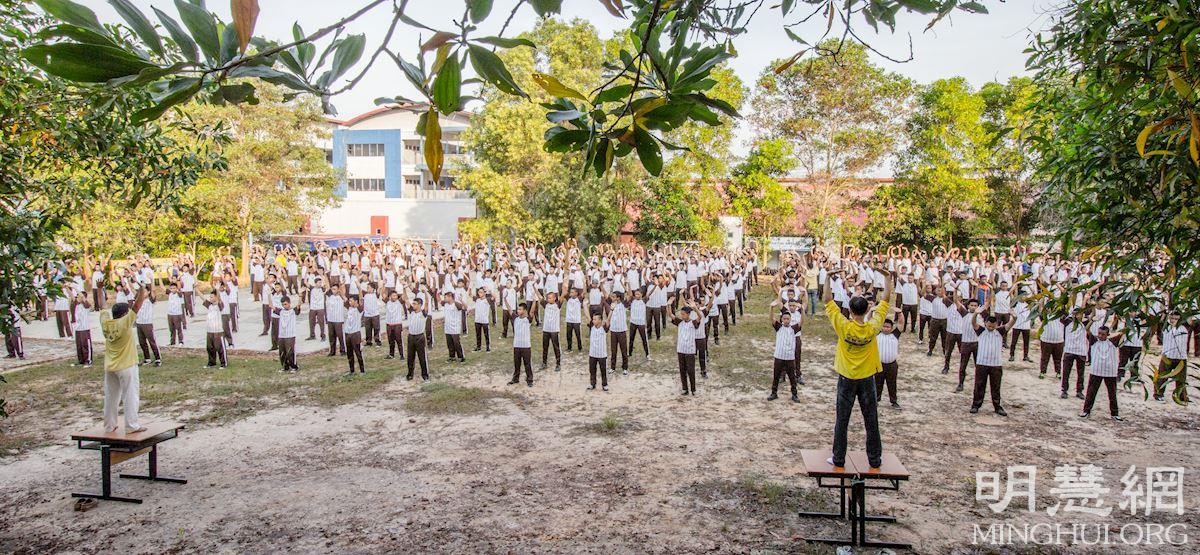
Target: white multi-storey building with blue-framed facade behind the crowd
{"points": [[387, 189]]}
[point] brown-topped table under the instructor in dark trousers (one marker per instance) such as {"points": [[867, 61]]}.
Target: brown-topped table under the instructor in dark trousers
{"points": [[857, 478]]}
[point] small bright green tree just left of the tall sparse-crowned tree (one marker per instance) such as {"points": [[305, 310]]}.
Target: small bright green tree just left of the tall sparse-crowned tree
{"points": [[755, 193]]}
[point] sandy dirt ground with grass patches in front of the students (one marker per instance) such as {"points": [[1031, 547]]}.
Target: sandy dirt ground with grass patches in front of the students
{"points": [[488, 468]]}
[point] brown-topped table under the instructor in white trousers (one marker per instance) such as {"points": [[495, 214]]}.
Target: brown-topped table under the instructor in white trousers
{"points": [[117, 447]]}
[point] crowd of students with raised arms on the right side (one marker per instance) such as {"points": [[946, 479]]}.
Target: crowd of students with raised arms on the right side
{"points": [[982, 306]]}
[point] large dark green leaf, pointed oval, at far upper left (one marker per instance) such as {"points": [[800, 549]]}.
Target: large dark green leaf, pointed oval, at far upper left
{"points": [[85, 63]]}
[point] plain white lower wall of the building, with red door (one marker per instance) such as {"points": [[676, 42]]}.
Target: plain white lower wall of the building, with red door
{"points": [[428, 219]]}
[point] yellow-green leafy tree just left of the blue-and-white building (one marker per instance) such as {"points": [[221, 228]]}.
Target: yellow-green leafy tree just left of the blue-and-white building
{"points": [[277, 174]]}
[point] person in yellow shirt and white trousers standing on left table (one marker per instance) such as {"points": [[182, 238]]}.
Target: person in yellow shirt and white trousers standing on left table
{"points": [[122, 383]]}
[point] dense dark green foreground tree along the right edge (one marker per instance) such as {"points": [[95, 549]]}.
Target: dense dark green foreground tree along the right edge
{"points": [[1120, 151]]}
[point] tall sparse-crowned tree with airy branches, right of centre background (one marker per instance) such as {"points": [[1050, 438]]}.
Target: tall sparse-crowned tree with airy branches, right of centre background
{"points": [[842, 115]]}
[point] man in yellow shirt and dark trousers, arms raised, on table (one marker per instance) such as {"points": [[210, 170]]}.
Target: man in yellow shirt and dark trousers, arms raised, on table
{"points": [[857, 362]]}
